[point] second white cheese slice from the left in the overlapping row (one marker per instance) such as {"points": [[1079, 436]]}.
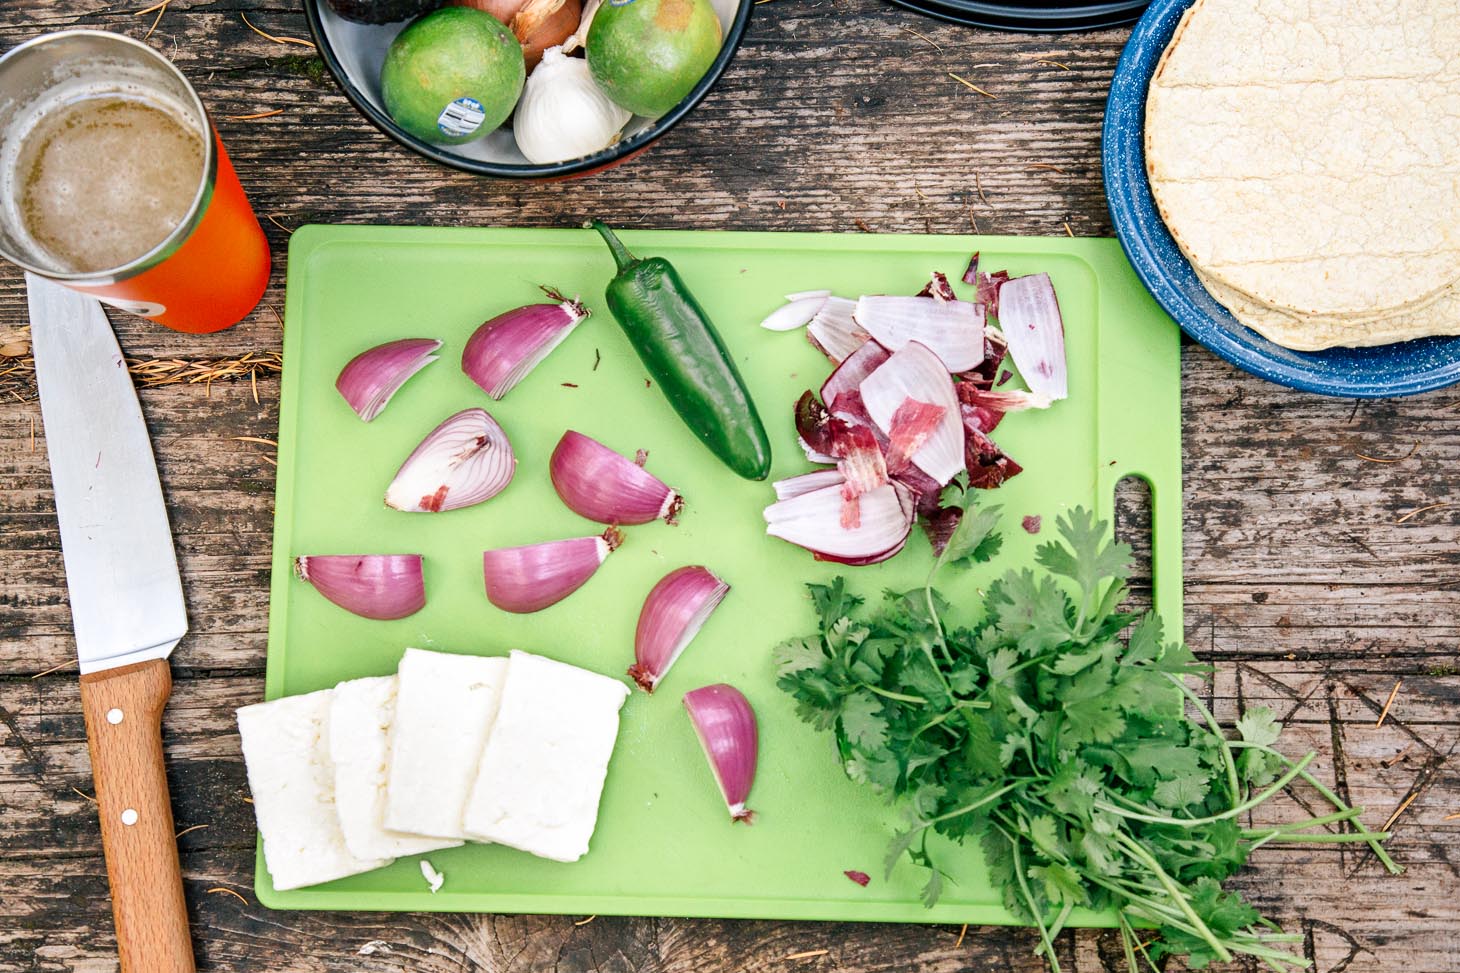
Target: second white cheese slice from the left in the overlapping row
{"points": [[361, 717]]}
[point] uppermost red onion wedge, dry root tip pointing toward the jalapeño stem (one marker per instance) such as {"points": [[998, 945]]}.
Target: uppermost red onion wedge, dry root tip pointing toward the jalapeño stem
{"points": [[504, 350]]}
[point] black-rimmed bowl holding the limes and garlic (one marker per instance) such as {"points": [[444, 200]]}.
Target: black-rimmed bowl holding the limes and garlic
{"points": [[356, 53]]}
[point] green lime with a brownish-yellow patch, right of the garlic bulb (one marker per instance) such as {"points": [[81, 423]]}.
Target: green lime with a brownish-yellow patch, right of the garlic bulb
{"points": [[649, 55]]}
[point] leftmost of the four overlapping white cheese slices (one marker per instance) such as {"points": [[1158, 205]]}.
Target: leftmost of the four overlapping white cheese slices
{"points": [[287, 752]]}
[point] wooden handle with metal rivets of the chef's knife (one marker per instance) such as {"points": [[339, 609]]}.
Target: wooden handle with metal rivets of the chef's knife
{"points": [[125, 734]]}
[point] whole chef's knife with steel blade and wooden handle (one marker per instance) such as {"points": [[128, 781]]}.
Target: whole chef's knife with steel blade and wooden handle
{"points": [[126, 607]]}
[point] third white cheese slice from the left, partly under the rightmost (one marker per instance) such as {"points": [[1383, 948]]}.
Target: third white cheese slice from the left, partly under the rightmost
{"points": [[445, 711]]}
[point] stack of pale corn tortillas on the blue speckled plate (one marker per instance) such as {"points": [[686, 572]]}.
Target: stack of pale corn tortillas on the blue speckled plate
{"points": [[1306, 156]]}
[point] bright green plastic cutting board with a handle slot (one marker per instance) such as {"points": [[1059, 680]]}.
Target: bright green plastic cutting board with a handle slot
{"points": [[665, 844]]}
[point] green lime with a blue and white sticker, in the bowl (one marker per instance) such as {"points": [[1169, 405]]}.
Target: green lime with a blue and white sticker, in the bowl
{"points": [[453, 75]]}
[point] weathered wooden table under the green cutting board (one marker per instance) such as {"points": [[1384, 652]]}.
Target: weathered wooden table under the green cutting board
{"points": [[1321, 537]]}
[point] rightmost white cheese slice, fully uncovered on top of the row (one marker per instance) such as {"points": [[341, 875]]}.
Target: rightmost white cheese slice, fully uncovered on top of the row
{"points": [[544, 766]]}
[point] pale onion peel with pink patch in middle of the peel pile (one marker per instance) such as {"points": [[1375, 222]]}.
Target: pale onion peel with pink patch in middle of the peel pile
{"points": [[918, 375]]}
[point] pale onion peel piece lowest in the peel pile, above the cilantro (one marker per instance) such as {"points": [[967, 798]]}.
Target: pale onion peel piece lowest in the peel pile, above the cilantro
{"points": [[812, 521]]}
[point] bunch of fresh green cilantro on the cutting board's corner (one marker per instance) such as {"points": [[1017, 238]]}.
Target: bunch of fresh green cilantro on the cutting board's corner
{"points": [[1065, 753]]}
